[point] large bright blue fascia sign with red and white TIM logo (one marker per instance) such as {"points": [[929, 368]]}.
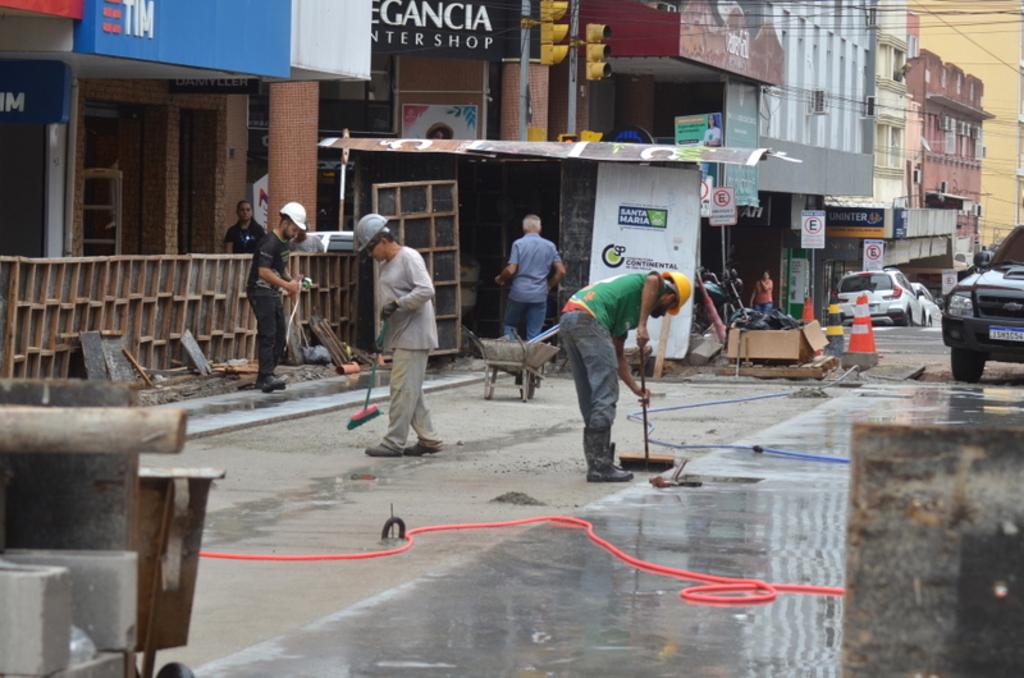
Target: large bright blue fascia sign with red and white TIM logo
{"points": [[229, 35]]}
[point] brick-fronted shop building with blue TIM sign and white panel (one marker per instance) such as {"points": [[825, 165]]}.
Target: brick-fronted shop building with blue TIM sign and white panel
{"points": [[147, 151]]}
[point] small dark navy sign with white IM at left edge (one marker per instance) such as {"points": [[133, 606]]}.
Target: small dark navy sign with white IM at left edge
{"points": [[35, 93]]}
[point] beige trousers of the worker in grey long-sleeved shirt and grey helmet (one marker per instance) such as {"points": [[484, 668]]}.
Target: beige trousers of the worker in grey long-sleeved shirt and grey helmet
{"points": [[409, 408]]}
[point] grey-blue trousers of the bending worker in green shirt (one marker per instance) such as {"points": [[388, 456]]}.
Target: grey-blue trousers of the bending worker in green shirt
{"points": [[595, 367]]}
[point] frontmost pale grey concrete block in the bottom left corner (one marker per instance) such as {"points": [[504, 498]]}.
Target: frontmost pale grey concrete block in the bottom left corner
{"points": [[35, 620]]}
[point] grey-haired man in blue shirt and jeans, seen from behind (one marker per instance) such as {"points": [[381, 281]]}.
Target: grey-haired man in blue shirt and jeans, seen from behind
{"points": [[535, 269]]}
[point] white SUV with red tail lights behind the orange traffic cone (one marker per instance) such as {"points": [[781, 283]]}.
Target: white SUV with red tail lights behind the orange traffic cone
{"points": [[891, 300]]}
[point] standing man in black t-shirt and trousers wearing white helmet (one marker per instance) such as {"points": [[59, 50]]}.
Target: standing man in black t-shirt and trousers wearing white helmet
{"points": [[268, 277]]}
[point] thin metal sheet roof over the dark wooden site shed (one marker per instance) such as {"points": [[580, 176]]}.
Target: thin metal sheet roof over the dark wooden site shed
{"points": [[593, 151]]}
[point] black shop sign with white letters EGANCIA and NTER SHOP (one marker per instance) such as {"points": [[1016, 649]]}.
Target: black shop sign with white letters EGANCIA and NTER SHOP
{"points": [[443, 28]]}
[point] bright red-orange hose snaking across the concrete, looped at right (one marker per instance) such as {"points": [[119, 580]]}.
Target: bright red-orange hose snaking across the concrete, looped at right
{"points": [[715, 590]]}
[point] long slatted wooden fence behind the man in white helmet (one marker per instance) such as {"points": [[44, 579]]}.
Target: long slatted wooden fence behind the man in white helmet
{"points": [[46, 305]]}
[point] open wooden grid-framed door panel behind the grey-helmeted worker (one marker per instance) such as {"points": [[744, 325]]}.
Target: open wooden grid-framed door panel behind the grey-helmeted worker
{"points": [[424, 216]]}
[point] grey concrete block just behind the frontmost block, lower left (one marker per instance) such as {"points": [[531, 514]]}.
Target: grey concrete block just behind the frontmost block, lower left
{"points": [[105, 591]]}
